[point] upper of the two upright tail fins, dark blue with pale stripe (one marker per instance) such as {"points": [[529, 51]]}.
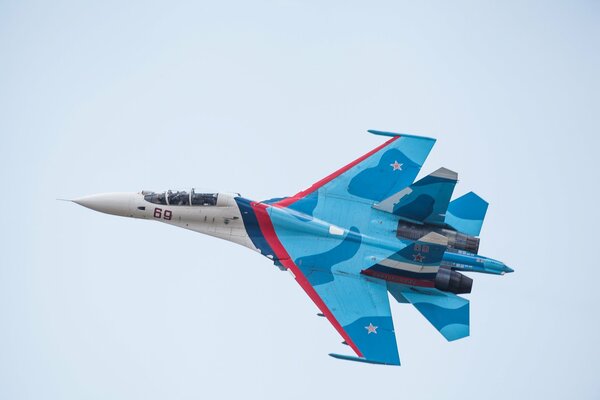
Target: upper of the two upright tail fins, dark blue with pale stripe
{"points": [[425, 201]]}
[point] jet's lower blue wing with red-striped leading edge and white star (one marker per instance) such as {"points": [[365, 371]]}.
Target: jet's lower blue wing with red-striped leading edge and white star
{"points": [[356, 305]]}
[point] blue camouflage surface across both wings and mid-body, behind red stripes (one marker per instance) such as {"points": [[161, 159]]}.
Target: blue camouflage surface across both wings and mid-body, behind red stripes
{"points": [[331, 263]]}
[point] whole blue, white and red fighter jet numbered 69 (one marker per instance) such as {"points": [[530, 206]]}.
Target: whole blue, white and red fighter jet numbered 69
{"points": [[349, 239]]}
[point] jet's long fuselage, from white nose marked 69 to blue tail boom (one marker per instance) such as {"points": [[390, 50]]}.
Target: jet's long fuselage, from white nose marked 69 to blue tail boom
{"points": [[232, 217]]}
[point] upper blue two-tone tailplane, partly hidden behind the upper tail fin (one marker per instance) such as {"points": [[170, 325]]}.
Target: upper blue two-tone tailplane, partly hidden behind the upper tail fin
{"points": [[466, 214]]}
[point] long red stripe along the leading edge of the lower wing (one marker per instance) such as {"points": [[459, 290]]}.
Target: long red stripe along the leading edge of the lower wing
{"points": [[267, 229]]}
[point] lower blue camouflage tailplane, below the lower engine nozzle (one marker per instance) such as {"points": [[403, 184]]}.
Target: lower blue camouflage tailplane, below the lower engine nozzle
{"points": [[447, 312]]}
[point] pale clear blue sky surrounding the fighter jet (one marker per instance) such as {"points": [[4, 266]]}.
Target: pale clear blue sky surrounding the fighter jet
{"points": [[265, 98]]}
